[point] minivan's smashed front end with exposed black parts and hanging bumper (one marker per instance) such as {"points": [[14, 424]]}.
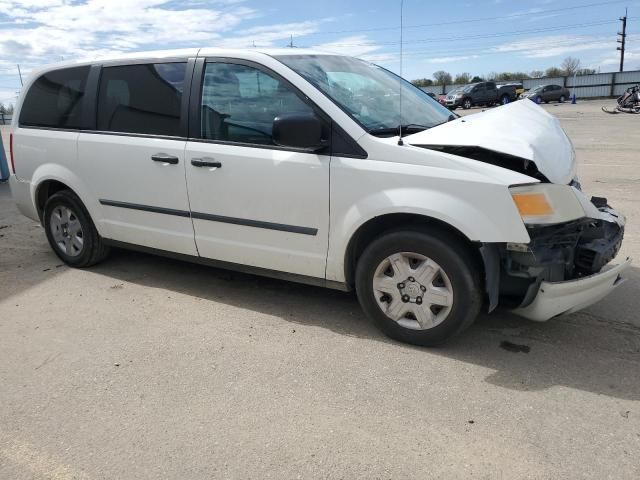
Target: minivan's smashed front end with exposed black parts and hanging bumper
{"points": [[564, 267]]}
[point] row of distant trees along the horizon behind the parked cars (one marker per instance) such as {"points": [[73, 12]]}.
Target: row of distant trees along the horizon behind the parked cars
{"points": [[570, 66]]}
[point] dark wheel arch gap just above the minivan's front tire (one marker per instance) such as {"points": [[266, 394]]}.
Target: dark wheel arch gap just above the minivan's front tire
{"points": [[381, 225]]}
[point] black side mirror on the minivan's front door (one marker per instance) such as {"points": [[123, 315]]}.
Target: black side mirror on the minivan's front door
{"points": [[298, 130]]}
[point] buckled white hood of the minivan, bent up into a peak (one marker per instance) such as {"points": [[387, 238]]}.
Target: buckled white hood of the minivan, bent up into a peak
{"points": [[522, 129]]}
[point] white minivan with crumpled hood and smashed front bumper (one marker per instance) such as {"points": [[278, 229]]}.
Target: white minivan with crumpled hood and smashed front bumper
{"points": [[318, 168]]}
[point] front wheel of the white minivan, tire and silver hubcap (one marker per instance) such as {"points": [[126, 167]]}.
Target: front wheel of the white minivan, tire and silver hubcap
{"points": [[456, 285]]}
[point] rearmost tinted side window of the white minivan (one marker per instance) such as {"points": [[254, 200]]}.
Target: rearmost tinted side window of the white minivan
{"points": [[56, 99]]}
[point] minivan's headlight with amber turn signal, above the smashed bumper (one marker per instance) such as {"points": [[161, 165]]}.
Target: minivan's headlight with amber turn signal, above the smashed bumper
{"points": [[546, 203]]}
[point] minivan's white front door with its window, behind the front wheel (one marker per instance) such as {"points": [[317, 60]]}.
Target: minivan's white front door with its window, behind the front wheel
{"points": [[252, 202]]}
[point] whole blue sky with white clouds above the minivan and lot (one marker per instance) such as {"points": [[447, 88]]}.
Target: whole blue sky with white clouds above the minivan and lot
{"points": [[458, 36]]}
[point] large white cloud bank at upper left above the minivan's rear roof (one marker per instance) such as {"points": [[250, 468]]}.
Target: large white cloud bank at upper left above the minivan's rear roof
{"points": [[46, 30]]}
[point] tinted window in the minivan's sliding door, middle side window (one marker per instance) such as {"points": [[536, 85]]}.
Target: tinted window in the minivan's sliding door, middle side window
{"points": [[142, 99]]}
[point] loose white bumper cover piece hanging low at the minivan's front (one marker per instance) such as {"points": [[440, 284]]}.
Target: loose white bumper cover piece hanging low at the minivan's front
{"points": [[557, 298]]}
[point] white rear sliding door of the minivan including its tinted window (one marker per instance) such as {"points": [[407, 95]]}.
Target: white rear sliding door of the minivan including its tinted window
{"points": [[134, 160]]}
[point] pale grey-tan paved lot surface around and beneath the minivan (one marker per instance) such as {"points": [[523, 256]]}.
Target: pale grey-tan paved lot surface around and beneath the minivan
{"points": [[144, 367]]}
